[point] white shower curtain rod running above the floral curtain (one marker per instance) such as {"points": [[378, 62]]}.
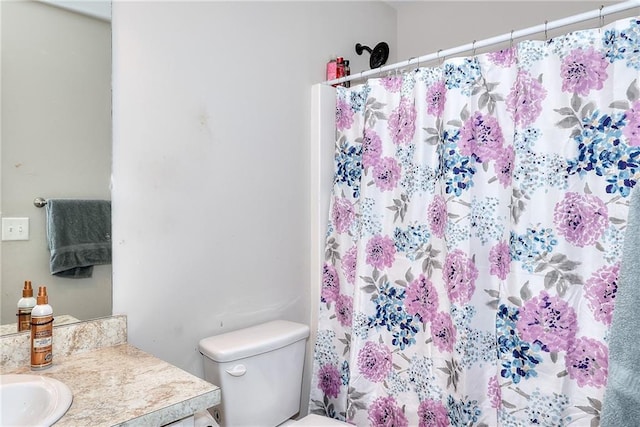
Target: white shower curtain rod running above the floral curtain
{"points": [[507, 37]]}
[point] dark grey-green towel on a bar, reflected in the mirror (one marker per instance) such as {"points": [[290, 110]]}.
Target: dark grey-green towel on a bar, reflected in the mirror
{"points": [[78, 235]]}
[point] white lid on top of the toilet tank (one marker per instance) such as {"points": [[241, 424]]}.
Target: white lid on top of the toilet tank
{"points": [[253, 340]]}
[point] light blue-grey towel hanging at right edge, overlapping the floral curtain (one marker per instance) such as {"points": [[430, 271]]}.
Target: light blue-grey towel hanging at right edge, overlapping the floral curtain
{"points": [[621, 404]]}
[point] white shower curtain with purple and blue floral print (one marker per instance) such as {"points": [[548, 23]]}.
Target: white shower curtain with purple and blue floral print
{"points": [[475, 235]]}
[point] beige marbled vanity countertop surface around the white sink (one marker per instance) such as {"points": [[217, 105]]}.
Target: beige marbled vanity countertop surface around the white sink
{"points": [[124, 386]]}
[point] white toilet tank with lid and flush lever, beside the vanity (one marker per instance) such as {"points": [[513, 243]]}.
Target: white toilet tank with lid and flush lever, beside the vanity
{"points": [[259, 372]]}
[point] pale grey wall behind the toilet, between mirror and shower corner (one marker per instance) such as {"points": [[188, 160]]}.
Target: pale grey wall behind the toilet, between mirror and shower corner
{"points": [[211, 170]]}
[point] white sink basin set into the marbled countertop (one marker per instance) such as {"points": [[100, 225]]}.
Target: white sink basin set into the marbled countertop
{"points": [[32, 400]]}
